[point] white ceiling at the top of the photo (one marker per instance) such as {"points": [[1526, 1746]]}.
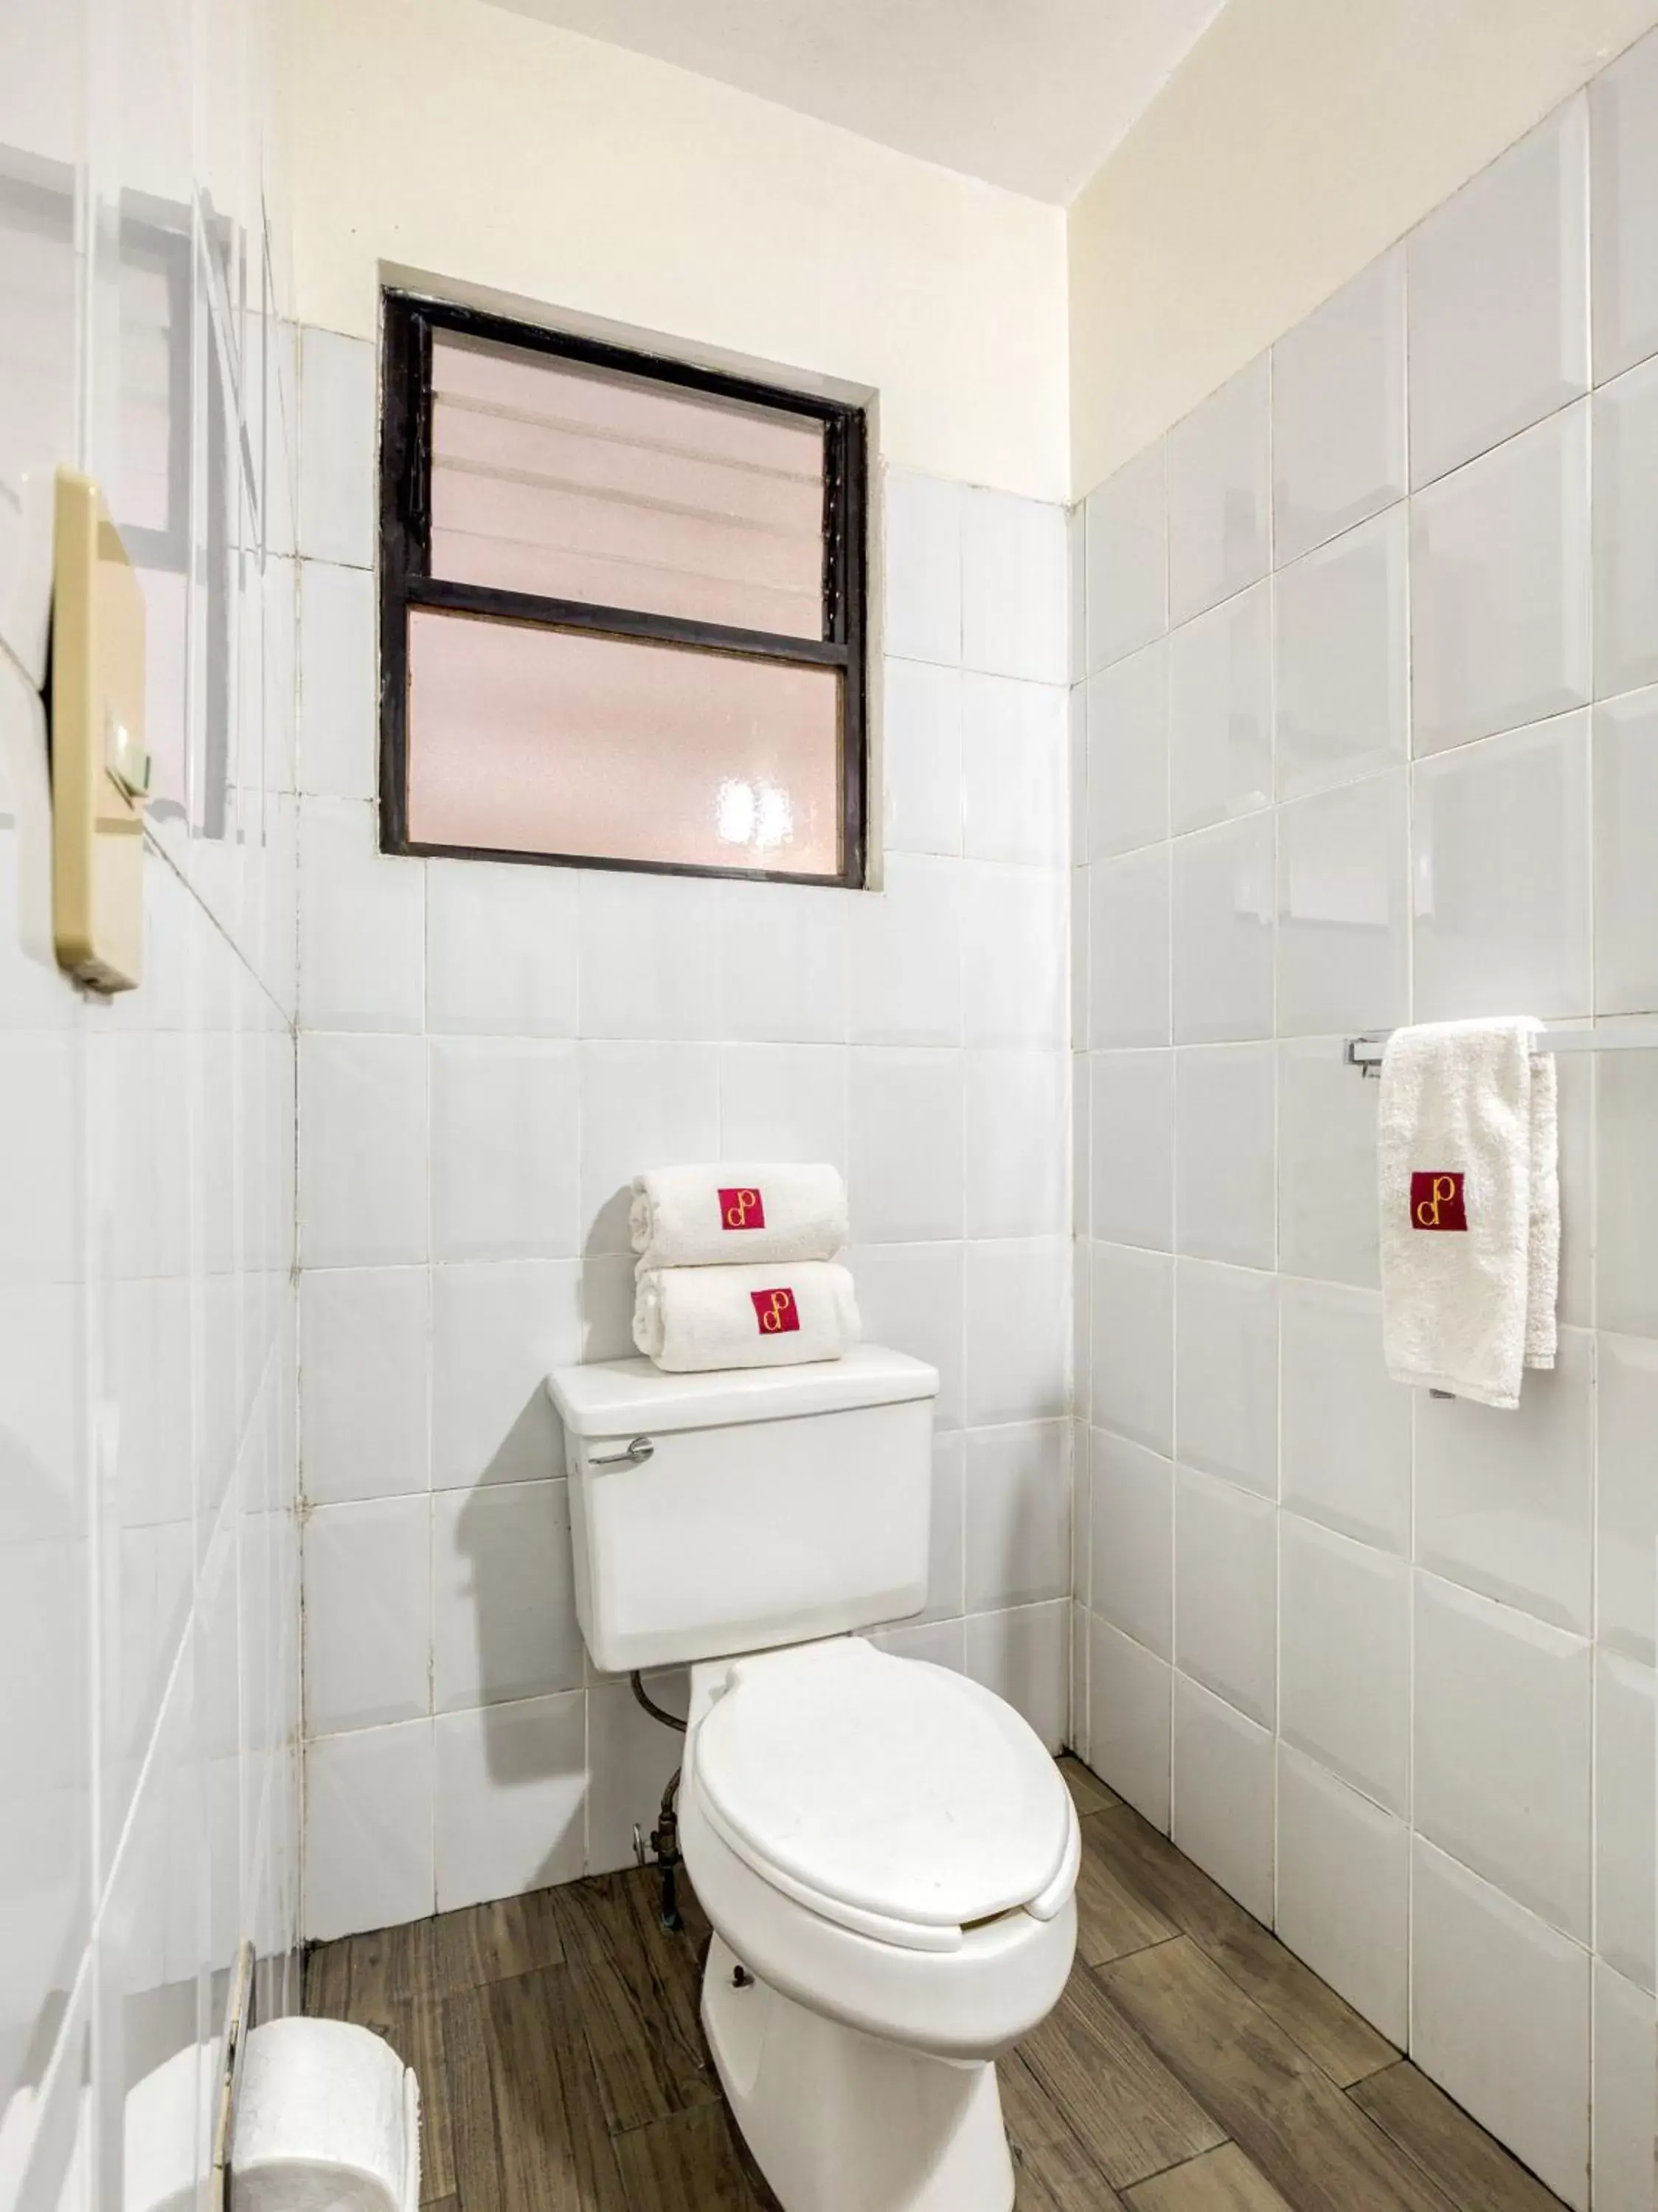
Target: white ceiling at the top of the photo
{"points": [[1028, 94]]}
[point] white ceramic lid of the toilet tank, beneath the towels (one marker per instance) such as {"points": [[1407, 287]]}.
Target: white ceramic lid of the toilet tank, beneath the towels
{"points": [[639, 1399]]}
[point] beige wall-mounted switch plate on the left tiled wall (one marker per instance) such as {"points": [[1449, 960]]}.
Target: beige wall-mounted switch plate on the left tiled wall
{"points": [[101, 769]]}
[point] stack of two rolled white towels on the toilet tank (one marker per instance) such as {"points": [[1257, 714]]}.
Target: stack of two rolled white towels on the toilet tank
{"points": [[736, 1266]]}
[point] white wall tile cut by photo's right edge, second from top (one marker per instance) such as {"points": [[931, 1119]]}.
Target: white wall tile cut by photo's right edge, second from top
{"points": [[1626, 519]]}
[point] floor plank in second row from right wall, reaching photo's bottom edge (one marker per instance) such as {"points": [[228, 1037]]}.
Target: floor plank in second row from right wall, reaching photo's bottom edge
{"points": [[1307, 2138]]}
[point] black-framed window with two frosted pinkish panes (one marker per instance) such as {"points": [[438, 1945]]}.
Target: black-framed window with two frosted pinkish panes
{"points": [[623, 607]]}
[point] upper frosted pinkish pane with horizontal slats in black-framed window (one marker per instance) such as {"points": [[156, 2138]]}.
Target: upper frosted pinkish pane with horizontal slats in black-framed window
{"points": [[586, 486]]}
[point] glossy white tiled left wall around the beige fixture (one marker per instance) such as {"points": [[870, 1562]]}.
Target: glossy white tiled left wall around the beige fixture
{"points": [[149, 1561]]}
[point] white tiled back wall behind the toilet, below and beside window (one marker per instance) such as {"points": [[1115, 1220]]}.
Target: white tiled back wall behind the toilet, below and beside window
{"points": [[488, 1056]]}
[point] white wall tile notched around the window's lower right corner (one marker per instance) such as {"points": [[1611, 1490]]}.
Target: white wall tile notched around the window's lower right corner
{"points": [[906, 957]]}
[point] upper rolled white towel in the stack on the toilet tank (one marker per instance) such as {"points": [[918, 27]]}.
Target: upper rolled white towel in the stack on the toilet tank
{"points": [[707, 1218]]}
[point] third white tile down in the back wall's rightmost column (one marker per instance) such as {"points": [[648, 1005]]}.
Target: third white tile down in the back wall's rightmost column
{"points": [[1013, 954]]}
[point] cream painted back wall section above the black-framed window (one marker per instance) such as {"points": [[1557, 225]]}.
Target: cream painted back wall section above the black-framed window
{"points": [[453, 138]]}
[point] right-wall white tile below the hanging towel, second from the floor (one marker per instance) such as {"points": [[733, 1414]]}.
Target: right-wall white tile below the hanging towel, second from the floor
{"points": [[1502, 1731]]}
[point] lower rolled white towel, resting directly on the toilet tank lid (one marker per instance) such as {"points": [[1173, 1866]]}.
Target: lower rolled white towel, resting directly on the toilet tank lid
{"points": [[774, 1315]]}
